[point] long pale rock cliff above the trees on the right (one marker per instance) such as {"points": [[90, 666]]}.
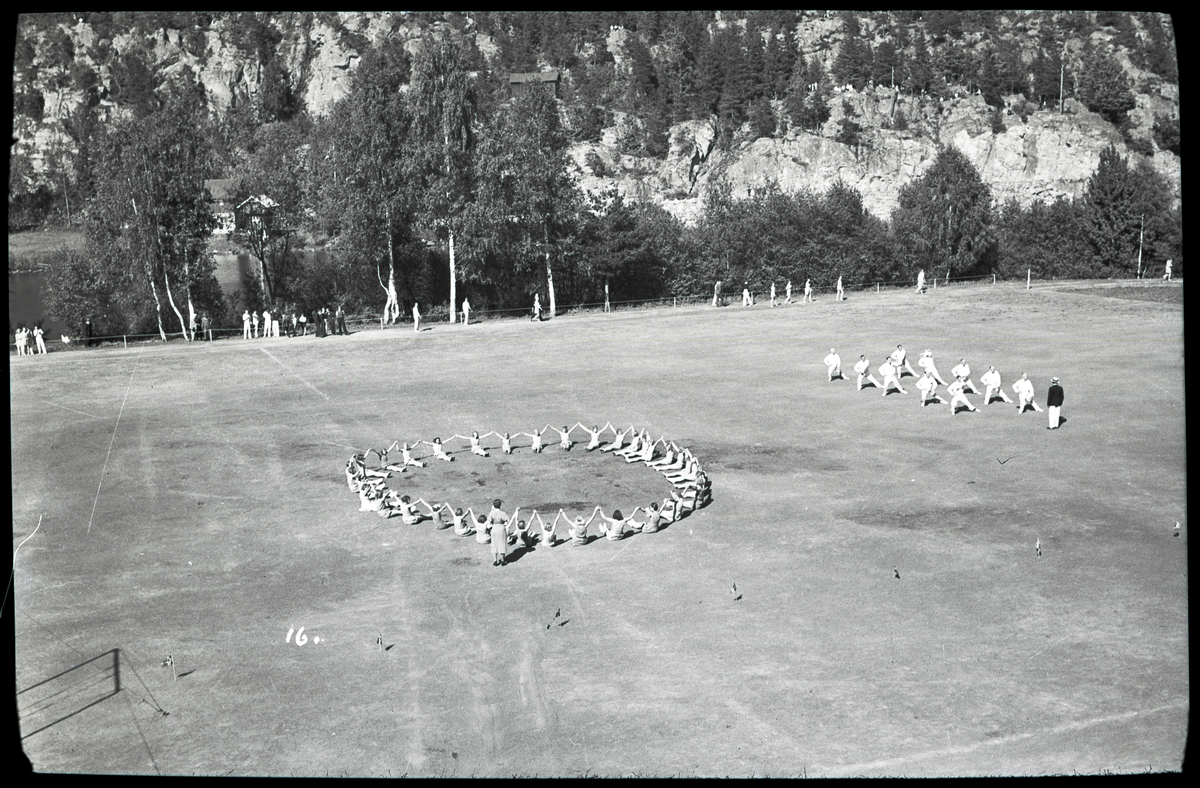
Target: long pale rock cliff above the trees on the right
{"points": [[1041, 159]]}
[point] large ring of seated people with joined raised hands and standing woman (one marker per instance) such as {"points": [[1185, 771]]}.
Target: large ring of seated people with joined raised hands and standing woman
{"points": [[692, 490]]}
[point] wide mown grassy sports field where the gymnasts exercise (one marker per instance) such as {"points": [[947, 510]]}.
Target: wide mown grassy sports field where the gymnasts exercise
{"points": [[191, 502]]}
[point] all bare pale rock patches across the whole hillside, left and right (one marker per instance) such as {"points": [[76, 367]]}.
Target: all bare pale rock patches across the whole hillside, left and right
{"points": [[1039, 159]]}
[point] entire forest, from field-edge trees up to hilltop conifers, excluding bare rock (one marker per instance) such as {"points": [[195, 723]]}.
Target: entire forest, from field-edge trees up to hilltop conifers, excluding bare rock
{"points": [[430, 182]]}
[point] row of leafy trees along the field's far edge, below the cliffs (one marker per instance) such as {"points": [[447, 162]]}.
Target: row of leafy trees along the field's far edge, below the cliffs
{"points": [[429, 185]]}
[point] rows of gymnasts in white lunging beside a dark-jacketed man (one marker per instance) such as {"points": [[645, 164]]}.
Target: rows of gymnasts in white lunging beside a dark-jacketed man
{"points": [[897, 364]]}
